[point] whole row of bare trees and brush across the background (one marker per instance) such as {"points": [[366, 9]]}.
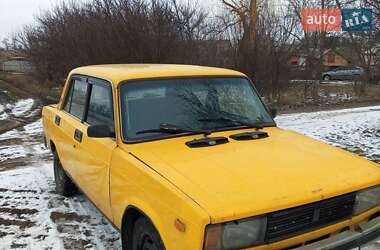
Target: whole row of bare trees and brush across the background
{"points": [[253, 36]]}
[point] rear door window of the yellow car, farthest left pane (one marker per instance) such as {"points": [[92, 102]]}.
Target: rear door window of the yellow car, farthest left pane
{"points": [[76, 98]]}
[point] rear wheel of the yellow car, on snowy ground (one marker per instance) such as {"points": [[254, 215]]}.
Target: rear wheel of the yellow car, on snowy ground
{"points": [[63, 184]]}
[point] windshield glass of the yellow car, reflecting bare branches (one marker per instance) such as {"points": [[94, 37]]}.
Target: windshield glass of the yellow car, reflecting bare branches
{"points": [[189, 105]]}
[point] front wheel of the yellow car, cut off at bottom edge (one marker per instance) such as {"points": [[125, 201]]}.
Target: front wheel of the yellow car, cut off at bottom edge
{"points": [[145, 236]]}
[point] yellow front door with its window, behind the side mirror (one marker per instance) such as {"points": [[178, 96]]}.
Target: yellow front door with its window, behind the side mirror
{"points": [[97, 152]]}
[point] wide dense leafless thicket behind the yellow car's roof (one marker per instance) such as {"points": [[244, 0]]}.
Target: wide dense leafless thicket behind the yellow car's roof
{"points": [[112, 31]]}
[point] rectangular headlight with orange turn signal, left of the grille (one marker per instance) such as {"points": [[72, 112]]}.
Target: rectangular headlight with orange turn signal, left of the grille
{"points": [[235, 235]]}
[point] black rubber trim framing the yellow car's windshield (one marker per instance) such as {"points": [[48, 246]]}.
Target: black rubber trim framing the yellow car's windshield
{"points": [[137, 141]]}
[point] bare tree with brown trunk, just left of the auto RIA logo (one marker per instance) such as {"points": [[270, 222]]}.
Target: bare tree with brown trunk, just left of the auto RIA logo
{"points": [[265, 54]]}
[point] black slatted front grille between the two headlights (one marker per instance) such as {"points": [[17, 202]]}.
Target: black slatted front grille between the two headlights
{"points": [[293, 221]]}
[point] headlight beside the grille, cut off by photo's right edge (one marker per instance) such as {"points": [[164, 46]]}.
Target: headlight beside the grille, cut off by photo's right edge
{"points": [[367, 199]]}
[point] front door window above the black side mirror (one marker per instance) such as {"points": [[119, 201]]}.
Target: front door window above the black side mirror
{"points": [[100, 109]]}
